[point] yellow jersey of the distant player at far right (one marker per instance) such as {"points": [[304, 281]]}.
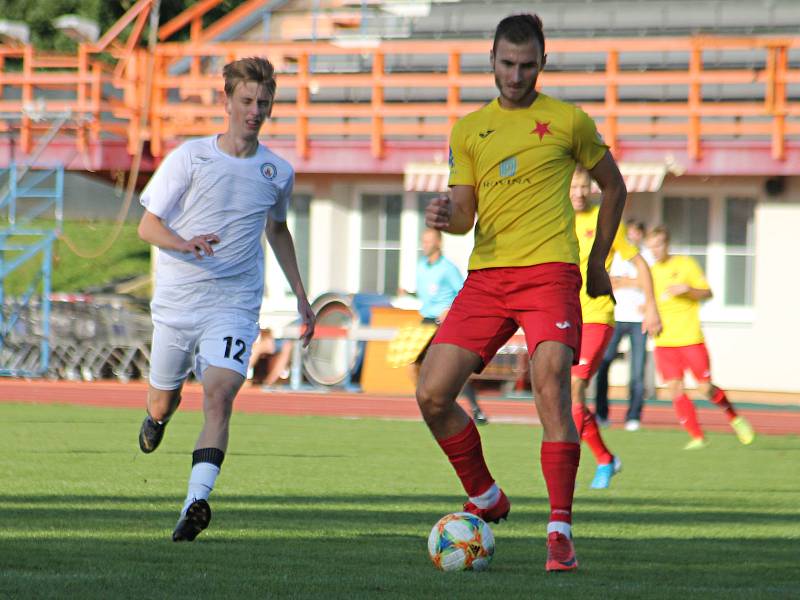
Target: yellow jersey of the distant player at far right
{"points": [[680, 316]]}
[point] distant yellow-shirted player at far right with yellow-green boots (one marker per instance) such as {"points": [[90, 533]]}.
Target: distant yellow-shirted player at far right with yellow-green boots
{"points": [[680, 287]]}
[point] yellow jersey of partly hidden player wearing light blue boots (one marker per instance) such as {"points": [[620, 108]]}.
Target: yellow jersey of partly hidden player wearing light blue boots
{"points": [[600, 309]]}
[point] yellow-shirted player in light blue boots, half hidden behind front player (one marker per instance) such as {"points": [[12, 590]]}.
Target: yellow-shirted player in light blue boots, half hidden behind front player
{"points": [[598, 323]]}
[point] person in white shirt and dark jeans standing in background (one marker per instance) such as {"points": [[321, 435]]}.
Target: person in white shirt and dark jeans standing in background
{"points": [[628, 313]]}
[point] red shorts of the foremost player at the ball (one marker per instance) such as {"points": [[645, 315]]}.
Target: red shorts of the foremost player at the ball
{"points": [[494, 303]]}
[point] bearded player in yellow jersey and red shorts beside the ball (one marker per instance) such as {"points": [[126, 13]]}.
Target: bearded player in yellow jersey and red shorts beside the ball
{"points": [[511, 163]]}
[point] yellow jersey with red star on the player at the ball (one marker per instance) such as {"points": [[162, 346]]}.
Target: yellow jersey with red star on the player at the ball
{"points": [[520, 163]]}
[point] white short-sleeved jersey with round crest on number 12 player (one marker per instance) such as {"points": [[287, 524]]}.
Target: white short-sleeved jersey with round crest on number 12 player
{"points": [[199, 189]]}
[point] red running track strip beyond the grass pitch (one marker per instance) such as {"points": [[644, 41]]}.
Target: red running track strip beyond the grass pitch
{"points": [[343, 404]]}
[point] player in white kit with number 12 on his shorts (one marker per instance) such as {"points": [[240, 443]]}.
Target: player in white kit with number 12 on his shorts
{"points": [[206, 207]]}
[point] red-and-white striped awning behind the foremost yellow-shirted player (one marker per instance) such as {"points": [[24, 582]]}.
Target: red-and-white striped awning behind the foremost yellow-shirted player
{"points": [[432, 177]]}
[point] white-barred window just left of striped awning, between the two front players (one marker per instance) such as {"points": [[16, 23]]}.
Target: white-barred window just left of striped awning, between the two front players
{"points": [[380, 243]]}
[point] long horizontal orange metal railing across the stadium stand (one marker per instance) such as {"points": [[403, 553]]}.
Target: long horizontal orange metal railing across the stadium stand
{"points": [[417, 89]]}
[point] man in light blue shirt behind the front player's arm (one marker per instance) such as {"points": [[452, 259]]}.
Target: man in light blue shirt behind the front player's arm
{"points": [[438, 283]]}
